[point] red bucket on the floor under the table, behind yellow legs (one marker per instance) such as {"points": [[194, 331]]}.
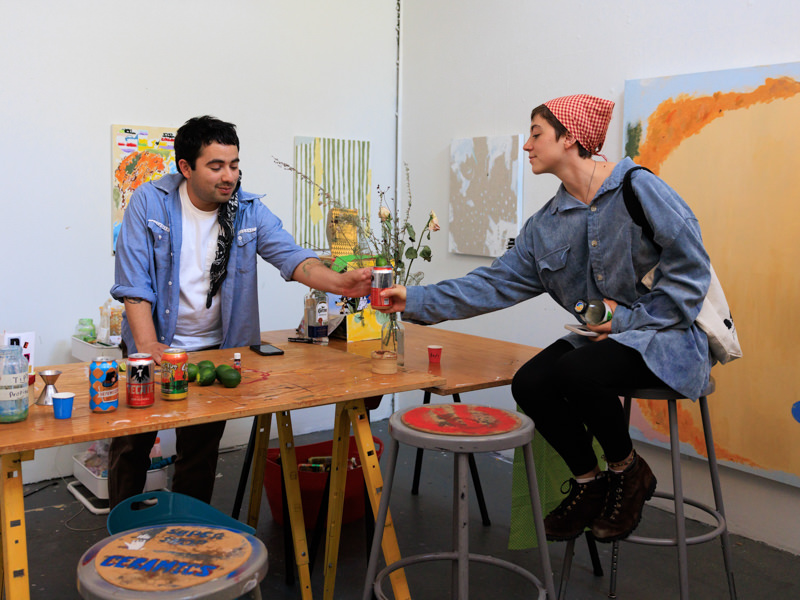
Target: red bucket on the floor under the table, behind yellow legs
{"points": [[312, 485]]}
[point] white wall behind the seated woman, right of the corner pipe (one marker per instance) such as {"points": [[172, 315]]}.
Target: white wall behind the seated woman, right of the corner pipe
{"points": [[474, 68]]}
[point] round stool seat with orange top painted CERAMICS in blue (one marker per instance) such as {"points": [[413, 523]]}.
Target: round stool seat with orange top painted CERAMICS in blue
{"points": [[168, 562]]}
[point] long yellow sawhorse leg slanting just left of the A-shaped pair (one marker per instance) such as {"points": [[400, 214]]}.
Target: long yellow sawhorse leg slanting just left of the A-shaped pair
{"points": [[295, 506]]}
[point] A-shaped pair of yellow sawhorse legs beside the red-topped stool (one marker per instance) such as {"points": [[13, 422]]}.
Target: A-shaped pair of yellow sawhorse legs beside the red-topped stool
{"points": [[354, 413]]}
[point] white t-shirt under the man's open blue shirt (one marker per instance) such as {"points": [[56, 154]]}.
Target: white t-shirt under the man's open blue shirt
{"points": [[198, 327]]}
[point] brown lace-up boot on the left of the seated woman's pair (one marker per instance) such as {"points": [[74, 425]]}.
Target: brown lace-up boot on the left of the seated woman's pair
{"points": [[577, 511]]}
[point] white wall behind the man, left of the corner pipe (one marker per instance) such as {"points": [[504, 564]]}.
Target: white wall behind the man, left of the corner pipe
{"points": [[72, 69]]}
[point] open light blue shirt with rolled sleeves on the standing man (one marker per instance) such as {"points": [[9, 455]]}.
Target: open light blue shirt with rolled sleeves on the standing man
{"points": [[148, 261]]}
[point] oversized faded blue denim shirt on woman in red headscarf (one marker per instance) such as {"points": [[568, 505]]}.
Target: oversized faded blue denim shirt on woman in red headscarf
{"points": [[573, 252]]}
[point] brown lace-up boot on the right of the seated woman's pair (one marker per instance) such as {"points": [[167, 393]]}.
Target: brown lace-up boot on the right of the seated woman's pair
{"points": [[627, 493]]}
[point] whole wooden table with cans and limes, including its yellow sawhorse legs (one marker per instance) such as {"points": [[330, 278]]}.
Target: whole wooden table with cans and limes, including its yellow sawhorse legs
{"points": [[305, 376]]}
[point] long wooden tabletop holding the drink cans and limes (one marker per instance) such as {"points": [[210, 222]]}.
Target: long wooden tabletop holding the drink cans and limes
{"points": [[305, 376]]}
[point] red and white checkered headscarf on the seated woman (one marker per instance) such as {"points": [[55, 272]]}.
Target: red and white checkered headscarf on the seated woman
{"points": [[585, 117]]}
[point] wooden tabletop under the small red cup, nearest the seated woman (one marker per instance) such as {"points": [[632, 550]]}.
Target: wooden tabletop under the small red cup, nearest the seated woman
{"points": [[468, 363]]}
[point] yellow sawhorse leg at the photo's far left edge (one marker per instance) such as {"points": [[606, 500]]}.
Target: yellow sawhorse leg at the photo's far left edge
{"points": [[13, 541]]}
